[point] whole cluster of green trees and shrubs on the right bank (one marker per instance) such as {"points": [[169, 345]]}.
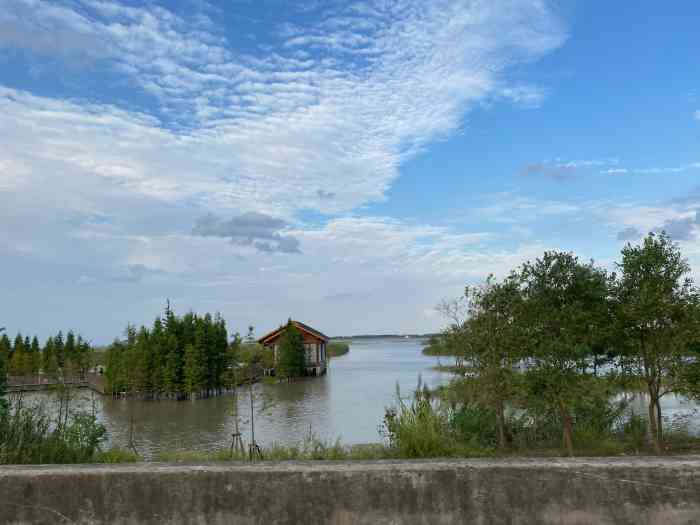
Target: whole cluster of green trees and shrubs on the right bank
{"points": [[530, 349]]}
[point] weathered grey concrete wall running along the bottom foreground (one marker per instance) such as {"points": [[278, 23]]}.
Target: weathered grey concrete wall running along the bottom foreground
{"points": [[625, 491]]}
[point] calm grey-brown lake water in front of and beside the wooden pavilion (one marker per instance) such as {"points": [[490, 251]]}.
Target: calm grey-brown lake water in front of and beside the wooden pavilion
{"points": [[347, 403]]}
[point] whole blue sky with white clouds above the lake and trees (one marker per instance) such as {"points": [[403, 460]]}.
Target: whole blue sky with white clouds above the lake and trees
{"points": [[346, 163]]}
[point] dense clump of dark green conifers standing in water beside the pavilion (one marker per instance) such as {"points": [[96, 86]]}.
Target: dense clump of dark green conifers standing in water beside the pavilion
{"points": [[178, 357]]}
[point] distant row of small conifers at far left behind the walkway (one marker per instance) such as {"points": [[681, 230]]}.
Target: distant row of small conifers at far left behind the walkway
{"points": [[68, 355]]}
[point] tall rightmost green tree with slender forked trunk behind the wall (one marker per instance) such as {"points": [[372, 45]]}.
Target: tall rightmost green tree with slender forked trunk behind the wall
{"points": [[656, 314]]}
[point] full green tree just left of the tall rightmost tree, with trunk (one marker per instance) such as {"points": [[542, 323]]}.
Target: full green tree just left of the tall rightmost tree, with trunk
{"points": [[566, 303]]}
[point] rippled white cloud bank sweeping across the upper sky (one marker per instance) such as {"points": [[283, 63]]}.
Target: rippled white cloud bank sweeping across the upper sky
{"points": [[273, 125]]}
